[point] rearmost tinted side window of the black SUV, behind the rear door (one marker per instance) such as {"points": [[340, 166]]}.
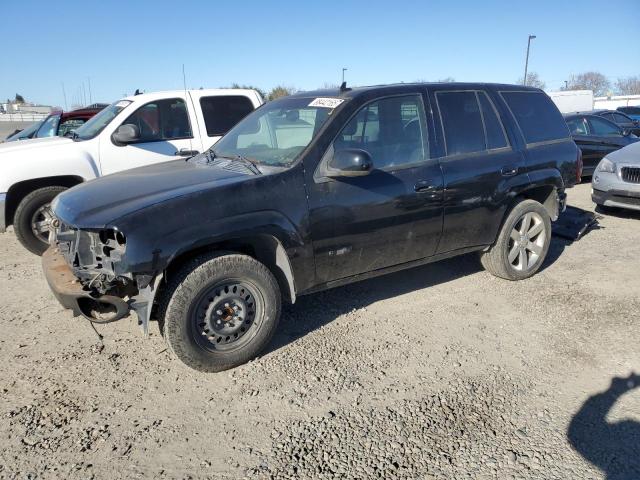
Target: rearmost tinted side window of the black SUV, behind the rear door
{"points": [[537, 116]]}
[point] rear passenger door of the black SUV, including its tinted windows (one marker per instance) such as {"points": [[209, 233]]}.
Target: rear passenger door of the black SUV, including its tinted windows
{"points": [[479, 167]]}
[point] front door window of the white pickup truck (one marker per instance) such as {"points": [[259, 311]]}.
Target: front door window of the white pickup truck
{"points": [[161, 120]]}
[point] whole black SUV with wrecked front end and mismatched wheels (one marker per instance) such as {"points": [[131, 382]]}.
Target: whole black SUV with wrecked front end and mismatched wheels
{"points": [[307, 193]]}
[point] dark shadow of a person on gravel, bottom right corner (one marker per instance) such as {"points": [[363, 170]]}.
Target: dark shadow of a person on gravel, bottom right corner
{"points": [[612, 447]]}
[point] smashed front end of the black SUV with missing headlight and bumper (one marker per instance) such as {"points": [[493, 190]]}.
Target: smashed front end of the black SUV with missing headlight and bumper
{"points": [[86, 270]]}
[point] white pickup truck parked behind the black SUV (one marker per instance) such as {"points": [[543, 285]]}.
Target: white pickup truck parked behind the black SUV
{"points": [[132, 132]]}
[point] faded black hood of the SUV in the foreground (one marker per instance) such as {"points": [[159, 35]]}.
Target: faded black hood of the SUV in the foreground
{"points": [[99, 202]]}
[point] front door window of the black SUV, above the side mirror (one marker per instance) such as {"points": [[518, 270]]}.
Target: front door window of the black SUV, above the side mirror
{"points": [[391, 130]]}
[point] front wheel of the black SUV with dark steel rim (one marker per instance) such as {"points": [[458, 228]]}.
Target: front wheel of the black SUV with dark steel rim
{"points": [[220, 311]]}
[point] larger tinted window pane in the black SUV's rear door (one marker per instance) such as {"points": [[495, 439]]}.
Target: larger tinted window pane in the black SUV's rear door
{"points": [[462, 122]]}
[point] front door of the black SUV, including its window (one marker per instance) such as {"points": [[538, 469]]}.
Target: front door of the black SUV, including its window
{"points": [[390, 216]]}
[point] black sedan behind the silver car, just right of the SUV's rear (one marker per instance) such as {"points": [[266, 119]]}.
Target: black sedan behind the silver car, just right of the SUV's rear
{"points": [[596, 136]]}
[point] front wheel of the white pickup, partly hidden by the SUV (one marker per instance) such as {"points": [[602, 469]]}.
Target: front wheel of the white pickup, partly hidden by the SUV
{"points": [[32, 210]]}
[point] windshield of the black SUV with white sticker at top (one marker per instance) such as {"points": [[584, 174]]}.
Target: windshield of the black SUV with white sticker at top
{"points": [[276, 133]]}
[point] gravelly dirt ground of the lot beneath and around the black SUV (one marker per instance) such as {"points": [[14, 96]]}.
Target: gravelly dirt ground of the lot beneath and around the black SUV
{"points": [[438, 372]]}
